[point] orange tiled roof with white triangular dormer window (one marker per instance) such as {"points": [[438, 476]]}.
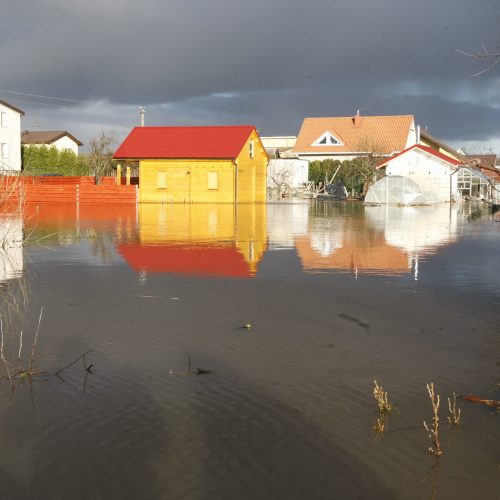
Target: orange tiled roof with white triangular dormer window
{"points": [[345, 138]]}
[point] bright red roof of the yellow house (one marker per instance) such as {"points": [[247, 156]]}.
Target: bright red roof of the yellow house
{"points": [[224, 142]]}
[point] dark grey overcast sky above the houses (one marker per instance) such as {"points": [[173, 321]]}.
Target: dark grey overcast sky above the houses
{"points": [[267, 63]]}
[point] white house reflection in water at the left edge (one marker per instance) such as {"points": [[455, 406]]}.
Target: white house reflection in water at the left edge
{"points": [[11, 249]]}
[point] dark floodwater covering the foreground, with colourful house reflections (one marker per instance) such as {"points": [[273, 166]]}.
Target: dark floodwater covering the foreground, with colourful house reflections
{"points": [[335, 295]]}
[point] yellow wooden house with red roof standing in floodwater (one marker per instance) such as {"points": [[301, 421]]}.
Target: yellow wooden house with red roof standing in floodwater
{"points": [[216, 164]]}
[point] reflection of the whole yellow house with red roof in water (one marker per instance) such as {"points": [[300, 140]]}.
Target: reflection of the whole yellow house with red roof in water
{"points": [[216, 240]]}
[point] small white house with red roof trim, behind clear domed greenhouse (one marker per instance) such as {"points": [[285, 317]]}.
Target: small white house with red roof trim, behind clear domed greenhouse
{"points": [[432, 172]]}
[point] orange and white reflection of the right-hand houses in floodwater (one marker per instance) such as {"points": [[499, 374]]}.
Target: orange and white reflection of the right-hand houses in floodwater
{"points": [[382, 240]]}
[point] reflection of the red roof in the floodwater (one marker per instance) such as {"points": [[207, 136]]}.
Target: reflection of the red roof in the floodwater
{"points": [[186, 259]]}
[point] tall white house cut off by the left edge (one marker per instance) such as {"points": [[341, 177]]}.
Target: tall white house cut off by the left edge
{"points": [[10, 137]]}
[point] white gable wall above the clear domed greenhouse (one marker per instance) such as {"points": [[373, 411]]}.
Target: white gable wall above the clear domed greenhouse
{"points": [[428, 171]]}
